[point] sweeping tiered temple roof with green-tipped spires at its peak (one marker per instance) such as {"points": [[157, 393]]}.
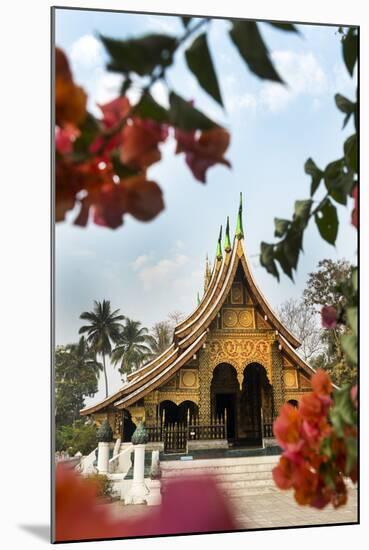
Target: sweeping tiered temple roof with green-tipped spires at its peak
{"points": [[190, 334]]}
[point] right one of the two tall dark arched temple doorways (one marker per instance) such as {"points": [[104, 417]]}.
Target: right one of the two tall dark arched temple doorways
{"points": [[256, 404]]}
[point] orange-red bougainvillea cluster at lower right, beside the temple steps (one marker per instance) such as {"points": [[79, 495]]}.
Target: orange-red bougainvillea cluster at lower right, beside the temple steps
{"points": [[301, 432]]}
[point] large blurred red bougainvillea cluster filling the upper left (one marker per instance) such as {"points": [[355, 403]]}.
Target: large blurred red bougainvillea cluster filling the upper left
{"points": [[101, 164]]}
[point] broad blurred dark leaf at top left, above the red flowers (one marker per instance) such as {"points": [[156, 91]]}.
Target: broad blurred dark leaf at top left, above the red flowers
{"points": [[140, 55]]}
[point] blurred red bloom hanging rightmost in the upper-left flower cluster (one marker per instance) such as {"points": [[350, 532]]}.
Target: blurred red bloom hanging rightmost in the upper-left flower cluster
{"points": [[204, 150]]}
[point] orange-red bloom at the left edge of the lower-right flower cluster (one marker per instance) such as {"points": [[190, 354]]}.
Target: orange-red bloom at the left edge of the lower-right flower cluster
{"points": [[287, 428]]}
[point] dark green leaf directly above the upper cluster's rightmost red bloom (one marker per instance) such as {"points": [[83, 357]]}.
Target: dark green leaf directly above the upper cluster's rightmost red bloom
{"points": [[186, 117]]}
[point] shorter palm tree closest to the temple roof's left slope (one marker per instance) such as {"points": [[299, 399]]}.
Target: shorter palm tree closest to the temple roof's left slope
{"points": [[132, 346]]}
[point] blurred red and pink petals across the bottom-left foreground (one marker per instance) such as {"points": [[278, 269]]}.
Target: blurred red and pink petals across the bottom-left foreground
{"points": [[188, 506]]}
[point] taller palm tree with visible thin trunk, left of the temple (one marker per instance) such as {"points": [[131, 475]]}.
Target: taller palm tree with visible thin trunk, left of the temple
{"points": [[104, 328]]}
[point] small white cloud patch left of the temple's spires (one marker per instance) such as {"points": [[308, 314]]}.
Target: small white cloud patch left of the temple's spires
{"points": [[164, 272]]}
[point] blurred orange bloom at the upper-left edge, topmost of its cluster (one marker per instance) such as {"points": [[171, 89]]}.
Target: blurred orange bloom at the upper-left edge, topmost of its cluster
{"points": [[70, 100]]}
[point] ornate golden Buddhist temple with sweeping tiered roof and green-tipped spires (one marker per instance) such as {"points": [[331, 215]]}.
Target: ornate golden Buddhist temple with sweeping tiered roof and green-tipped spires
{"points": [[230, 367]]}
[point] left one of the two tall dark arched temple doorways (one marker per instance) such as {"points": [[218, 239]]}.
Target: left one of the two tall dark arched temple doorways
{"points": [[224, 396]]}
